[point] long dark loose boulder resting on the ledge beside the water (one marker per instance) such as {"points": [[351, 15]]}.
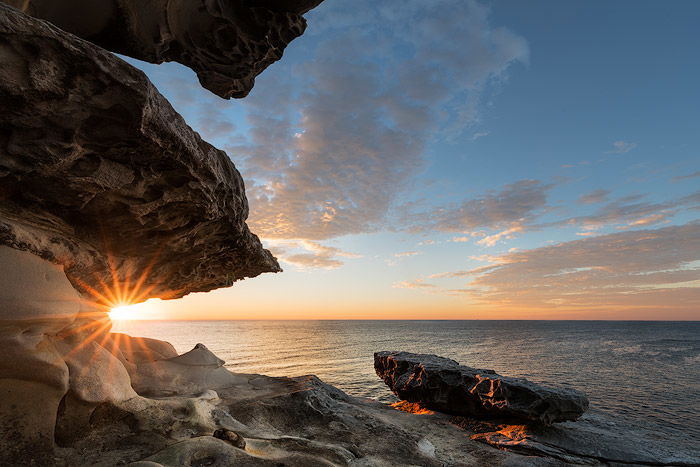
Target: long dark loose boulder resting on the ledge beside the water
{"points": [[442, 384]]}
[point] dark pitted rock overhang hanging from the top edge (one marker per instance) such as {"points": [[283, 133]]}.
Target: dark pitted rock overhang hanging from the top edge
{"points": [[226, 42]]}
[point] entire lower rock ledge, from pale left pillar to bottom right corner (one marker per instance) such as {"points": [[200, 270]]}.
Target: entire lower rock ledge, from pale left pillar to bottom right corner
{"points": [[67, 381]]}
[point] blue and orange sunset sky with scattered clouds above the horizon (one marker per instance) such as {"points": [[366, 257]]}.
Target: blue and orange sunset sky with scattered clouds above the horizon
{"points": [[461, 159]]}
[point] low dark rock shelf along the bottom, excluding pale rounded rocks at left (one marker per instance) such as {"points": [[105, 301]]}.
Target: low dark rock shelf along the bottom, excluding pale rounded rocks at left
{"points": [[264, 421]]}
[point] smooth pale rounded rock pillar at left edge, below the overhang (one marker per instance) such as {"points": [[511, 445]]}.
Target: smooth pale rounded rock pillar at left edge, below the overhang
{"points": [[36, 302]]}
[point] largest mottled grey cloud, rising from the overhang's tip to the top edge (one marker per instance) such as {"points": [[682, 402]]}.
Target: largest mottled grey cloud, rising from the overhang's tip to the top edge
{"points": [[329, 150]]}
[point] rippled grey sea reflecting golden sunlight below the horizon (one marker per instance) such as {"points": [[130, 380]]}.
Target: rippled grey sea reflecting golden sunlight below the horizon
{"points": [[644, 374]]}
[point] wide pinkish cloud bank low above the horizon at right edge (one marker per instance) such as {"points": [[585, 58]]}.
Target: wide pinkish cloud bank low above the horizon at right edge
{"points": [[643, 268]]}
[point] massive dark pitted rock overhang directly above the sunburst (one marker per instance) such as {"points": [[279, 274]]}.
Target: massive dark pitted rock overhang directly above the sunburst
{"points": [[98, 173]]}
